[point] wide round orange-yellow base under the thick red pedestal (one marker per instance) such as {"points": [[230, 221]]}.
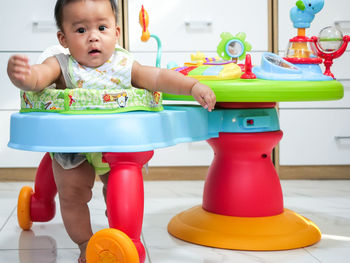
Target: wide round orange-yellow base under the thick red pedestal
{"points": [[285, 231]]}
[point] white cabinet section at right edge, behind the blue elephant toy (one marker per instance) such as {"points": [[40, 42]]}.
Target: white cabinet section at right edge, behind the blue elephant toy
{"points": [[316, 133]]}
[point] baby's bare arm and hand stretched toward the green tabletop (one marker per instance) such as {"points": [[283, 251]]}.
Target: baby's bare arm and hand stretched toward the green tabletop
{"points": [[169, 81]]}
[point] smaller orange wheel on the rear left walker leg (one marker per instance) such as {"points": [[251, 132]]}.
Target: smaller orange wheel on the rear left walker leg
{"points": [[23, 208]]}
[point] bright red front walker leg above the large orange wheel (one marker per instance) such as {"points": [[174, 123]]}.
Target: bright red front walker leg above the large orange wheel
{"points": [[125, 196]]}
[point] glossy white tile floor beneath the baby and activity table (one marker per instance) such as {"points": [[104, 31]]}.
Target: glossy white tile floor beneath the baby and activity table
{"points": [[327, 203]]}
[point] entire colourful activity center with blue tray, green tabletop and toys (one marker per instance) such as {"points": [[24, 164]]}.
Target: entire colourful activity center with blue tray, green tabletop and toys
{"points": [[242, 200]]}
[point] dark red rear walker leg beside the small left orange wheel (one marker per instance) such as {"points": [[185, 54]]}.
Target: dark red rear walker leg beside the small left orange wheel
{"points": [[42, 206]]}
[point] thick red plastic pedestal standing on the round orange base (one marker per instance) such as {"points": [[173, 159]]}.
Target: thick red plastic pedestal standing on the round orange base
{"points": [[242, 180]]}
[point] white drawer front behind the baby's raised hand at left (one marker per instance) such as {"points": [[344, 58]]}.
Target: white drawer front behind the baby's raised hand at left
{"points": [[9, 100]]}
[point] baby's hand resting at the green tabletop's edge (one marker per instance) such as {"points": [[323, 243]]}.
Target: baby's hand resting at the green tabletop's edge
{"points": [[204, 95]]}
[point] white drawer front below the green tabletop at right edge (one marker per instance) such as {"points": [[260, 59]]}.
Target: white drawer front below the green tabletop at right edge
{"points": [[315, 137]]}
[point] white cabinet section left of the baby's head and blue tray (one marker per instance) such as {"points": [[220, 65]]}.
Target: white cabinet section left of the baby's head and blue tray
{"points": [[27, 28]]}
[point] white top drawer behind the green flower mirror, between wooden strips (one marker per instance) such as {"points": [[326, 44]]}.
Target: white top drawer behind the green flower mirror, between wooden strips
{"points": [[192, 25]]}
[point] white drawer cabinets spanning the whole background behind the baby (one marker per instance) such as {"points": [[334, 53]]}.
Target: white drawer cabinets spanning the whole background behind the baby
{"points": [[185, 27]]}
